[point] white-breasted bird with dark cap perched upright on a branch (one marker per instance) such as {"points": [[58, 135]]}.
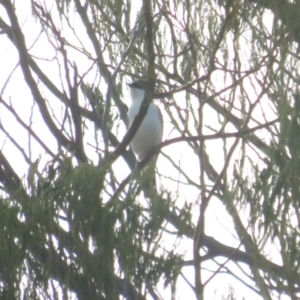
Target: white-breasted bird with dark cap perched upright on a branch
{"points": [[148, 136]]}
